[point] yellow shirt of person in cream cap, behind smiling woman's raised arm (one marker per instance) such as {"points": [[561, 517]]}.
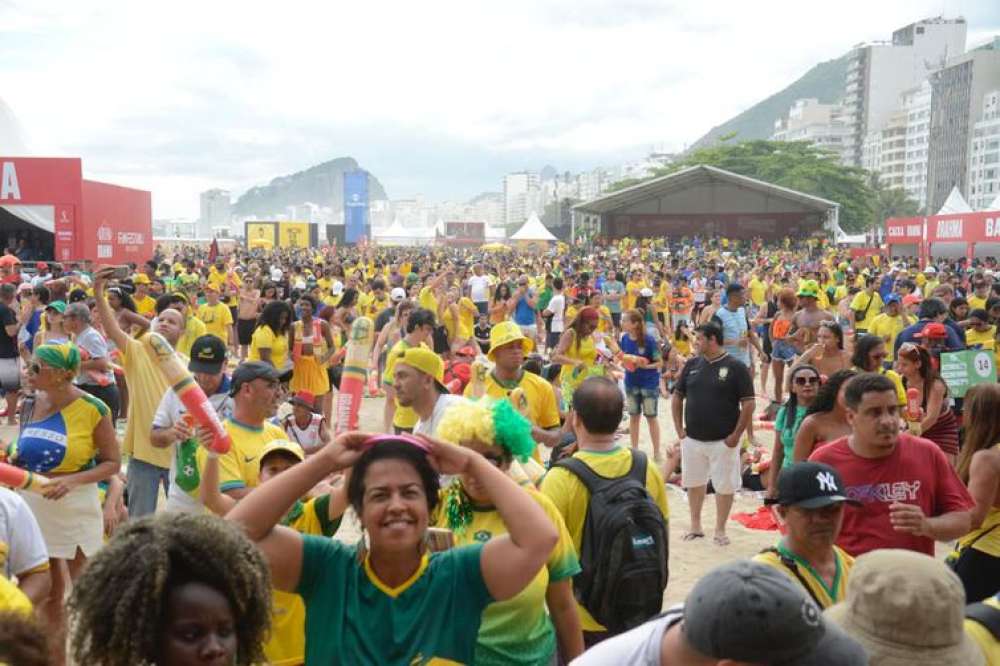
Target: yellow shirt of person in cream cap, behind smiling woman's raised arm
{"points": [[287, 642]]}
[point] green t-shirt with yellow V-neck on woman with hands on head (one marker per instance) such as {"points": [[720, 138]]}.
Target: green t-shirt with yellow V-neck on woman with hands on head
{"points": [[353, 618]]}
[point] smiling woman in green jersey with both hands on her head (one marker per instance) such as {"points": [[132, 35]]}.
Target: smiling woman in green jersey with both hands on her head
{"points": [[388, 600]]}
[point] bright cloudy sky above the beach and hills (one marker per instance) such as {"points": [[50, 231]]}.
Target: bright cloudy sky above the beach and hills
{"points": [[437, 98]]}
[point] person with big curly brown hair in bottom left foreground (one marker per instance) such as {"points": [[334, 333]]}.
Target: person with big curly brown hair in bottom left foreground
{"points": [[172, 589]]}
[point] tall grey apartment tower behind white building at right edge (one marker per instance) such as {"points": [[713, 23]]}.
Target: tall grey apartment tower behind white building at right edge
{"points": [[956, 106]]}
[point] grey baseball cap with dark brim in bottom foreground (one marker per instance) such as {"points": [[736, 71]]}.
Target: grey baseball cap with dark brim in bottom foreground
{"points": [[747, 611]]}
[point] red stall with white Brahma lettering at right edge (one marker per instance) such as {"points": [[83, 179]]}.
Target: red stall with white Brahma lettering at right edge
{"points": [[953, 235]]}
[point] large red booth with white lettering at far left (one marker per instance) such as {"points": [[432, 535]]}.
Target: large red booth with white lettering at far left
{"points": [[72, 218]]}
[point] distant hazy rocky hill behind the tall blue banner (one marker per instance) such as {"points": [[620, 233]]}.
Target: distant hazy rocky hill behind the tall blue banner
{"points": [[322, 184]]}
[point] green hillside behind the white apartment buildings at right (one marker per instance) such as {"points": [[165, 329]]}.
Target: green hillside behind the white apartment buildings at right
{"points": [[825, 82]]}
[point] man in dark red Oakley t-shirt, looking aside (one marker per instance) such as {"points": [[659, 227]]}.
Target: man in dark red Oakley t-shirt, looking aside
{"points": [[910, 495]]}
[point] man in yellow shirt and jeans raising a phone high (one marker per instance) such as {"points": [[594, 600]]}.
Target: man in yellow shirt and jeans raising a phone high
{"points": [[148, 466]]}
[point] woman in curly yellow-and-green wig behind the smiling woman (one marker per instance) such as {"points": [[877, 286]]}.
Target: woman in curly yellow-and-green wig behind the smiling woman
{"points": [[516, 631]]}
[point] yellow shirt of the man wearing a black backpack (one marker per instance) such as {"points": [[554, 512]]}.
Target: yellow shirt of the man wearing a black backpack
{"points": [[571, 498]]}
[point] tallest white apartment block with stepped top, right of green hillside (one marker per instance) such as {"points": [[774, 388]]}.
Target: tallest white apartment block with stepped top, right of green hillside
{"points": [[877, 73]]}
